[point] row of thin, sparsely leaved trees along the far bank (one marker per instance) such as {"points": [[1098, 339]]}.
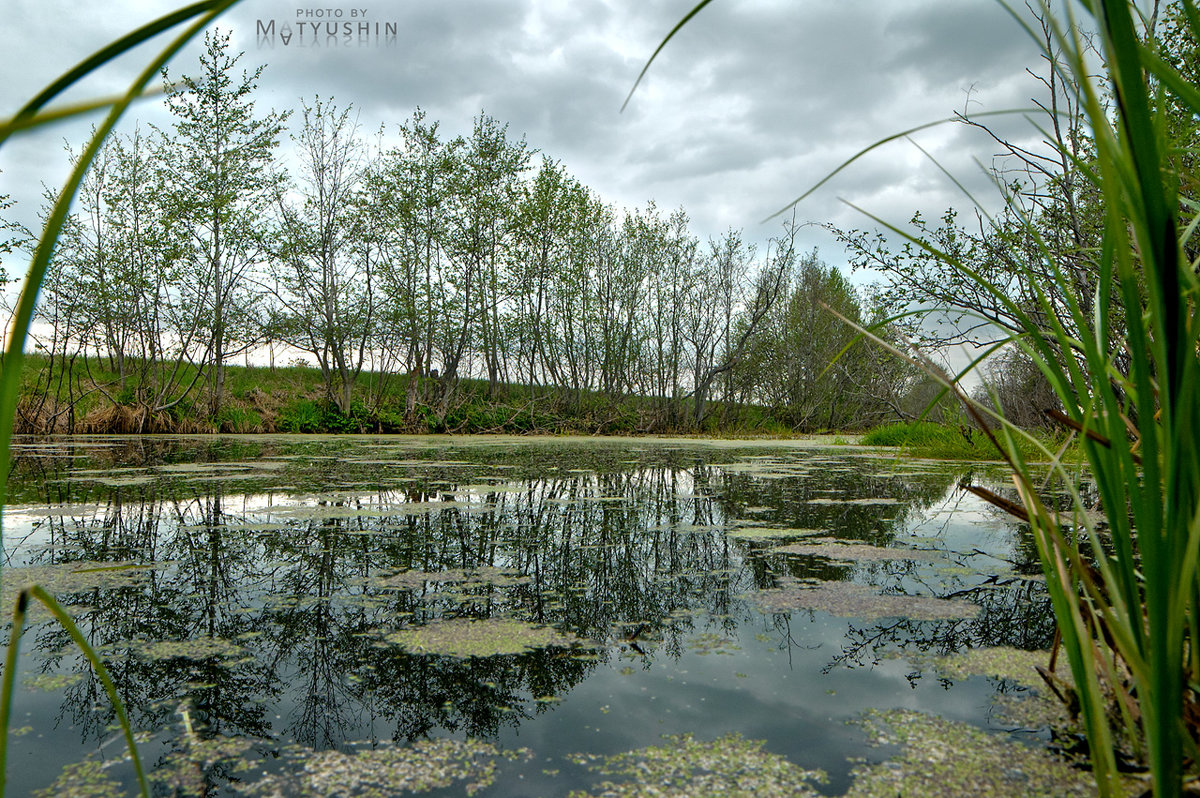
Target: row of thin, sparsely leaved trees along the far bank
{"points": [[463, 267]]}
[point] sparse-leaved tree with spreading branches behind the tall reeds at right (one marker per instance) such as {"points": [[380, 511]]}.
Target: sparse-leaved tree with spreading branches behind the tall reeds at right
{"points": [[1051, 221]]}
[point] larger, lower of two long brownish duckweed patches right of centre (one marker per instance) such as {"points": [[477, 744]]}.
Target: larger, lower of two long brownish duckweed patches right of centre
{"points": [[850, 601]]}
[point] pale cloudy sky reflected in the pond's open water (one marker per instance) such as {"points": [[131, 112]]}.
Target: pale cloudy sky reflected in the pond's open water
{"points": [[789, 679]]}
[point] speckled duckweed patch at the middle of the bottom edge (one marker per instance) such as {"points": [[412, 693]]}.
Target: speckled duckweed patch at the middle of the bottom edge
{"points": [[683, 767]]}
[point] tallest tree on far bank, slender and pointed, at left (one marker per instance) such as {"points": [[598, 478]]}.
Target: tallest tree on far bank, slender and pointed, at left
{"points": [[223, 181]]}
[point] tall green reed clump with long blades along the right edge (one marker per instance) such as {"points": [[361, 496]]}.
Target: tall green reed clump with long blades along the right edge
{"points": [[1125, 595]]}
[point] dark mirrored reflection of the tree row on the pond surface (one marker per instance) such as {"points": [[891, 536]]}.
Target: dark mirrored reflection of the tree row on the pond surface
{"points": [[286, 592]]}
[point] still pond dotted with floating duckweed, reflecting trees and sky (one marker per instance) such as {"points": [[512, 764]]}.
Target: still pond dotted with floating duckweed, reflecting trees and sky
{"points": [[525, 617]]}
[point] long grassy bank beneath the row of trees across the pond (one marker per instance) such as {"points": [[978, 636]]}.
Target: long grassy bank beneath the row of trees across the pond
{"points": [[89, 399]]}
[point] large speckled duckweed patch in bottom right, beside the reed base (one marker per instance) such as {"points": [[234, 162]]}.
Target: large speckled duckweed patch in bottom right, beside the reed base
{"points": [[944, 758]]}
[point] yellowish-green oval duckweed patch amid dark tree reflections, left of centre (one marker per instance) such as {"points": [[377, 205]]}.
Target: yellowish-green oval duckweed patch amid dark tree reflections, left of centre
{"points": [[464, 638]]}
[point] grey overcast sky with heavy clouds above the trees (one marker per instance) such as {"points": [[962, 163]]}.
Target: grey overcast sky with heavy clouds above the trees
{"points": [[749, 106]]}
